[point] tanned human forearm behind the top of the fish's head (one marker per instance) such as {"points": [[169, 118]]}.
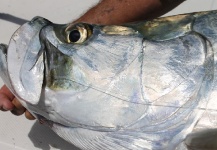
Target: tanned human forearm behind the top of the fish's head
{"points": [[122, 11]]}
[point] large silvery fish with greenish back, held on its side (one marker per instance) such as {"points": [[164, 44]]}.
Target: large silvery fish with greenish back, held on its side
{"points": [[142, 86]]}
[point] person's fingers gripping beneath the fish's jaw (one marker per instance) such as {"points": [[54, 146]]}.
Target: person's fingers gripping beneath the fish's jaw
{"points": [[8, 102]]}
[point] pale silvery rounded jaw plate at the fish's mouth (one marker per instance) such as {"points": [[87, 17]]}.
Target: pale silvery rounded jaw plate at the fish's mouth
{"points": [[25, 61]]}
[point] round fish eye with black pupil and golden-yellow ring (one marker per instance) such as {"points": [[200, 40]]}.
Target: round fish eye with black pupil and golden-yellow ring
{"points": [[78, 33]]}
